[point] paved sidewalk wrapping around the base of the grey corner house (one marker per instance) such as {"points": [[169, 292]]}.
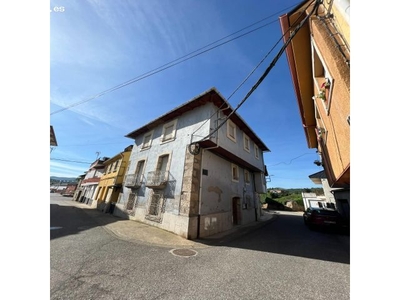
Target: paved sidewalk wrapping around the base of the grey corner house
{"points": [[135, 231]]}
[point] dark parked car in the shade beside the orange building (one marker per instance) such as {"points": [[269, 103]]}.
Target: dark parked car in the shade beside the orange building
{"points": [[315, 217]]}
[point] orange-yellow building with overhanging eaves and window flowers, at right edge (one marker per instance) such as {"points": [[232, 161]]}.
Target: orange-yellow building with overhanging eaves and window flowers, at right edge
{"points": [[319, 62]]}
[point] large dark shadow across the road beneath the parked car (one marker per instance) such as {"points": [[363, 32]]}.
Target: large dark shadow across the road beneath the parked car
{"points": [[287, 235]]}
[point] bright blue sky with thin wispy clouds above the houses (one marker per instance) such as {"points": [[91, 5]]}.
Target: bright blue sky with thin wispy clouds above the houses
{"points": [[96, 45]]}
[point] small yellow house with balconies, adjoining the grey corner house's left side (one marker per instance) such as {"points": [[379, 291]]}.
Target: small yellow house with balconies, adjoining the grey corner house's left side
{"points": [[110, 186]]}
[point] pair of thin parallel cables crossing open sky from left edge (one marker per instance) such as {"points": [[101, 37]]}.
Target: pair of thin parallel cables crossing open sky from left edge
{"points": [[174, 62]]}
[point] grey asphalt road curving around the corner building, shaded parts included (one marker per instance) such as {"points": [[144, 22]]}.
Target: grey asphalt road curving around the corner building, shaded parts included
{"points": [[280, 260]]}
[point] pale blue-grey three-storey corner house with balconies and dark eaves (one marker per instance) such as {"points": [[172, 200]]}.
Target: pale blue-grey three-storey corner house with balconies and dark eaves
{"points": [[195, 171]]}
